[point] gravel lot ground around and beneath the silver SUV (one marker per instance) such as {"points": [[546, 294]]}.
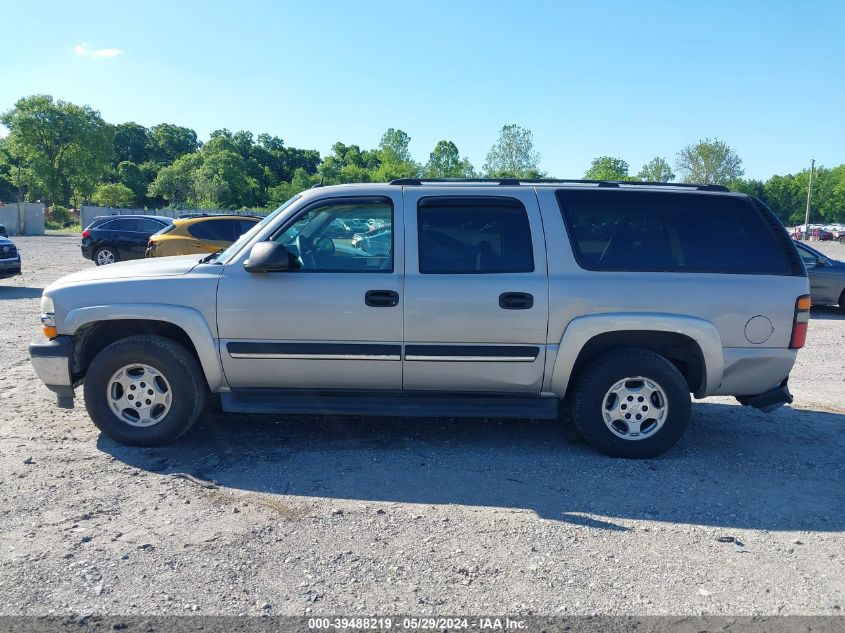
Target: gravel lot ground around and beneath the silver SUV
{"points": [[330, 515]]}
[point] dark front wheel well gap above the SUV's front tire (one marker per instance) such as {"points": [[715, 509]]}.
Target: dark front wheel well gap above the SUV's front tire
{"points": [[94, 338]]}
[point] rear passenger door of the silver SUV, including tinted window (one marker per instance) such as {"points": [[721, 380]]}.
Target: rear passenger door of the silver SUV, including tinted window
{"points": [[476, 298]]}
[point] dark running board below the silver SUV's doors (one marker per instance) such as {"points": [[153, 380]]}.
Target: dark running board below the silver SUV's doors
{"points": [[392, 404]]}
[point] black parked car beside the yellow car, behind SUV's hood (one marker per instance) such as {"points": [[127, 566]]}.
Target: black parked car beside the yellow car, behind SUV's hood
{"points": [[113, 238]]}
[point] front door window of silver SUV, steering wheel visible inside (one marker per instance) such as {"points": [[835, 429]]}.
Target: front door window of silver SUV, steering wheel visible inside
{"points": [[320, 239]]}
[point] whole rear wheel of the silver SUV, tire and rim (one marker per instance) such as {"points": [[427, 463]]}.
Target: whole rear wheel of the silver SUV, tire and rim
{"points": [[631, 403]]}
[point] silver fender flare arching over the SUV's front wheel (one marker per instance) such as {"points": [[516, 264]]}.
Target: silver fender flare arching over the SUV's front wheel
{"points": [[190, 320]]}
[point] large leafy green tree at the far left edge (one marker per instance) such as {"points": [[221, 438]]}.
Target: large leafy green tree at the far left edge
{"points": [[65, 147]]}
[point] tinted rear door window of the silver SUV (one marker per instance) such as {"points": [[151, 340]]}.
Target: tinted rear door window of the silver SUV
{"points": [[473, 235]]}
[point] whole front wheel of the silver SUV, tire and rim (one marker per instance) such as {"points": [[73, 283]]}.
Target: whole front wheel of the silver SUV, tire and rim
{"points": [[144, 391]]}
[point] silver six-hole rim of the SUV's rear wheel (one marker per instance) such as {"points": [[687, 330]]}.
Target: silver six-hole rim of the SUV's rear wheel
{"points": [[635, 408]]}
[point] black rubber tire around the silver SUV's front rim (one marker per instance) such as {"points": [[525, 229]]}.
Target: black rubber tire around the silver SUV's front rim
{"points": [[180, 369]]}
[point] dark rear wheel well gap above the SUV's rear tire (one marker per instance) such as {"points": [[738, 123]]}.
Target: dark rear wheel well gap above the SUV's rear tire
{"points": [[681, 350]]}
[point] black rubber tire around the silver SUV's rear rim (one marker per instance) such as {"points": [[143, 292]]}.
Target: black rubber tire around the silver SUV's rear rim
{"points": [[603, 373]]}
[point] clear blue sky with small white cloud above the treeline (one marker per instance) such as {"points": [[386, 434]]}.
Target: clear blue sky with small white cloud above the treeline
{"points": [[633, 80]]}
